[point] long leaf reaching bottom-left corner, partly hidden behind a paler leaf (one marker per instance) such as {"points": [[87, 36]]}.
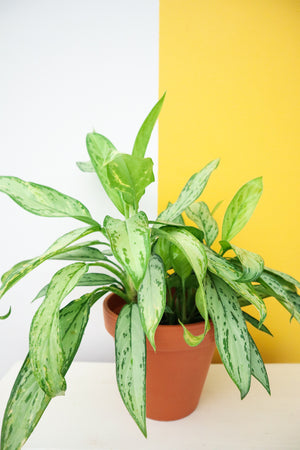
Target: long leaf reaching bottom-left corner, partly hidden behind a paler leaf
{"points": [[27, 400]]}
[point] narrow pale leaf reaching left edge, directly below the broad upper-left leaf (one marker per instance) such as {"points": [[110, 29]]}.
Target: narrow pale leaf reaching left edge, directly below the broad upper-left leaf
{"points": [[18, 271]]}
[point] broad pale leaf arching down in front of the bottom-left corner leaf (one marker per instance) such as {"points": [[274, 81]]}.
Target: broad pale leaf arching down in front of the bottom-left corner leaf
{"points": [[46, 353]]}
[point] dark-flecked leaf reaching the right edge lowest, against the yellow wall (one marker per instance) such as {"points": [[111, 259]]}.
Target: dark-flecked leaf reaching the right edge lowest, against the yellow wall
{"points": [[287, 299]]}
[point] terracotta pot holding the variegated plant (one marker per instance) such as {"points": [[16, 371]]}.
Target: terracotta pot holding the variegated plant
{"points": [[175, 372]]}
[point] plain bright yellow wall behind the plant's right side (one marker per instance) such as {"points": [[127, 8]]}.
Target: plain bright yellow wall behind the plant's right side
{"points": [[232, 80]]}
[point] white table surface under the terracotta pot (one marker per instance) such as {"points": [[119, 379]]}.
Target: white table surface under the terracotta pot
{"points": [[92, 416]]}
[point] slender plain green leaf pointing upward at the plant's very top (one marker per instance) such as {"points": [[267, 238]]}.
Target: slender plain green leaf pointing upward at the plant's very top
{"points": [[144, 134]]}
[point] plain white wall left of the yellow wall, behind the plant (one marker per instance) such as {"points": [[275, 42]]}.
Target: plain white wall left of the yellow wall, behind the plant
{"points": [[67, 67]]}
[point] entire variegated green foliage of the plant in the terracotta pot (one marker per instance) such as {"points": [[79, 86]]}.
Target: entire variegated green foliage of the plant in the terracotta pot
{"points": [[162, 274]]}
